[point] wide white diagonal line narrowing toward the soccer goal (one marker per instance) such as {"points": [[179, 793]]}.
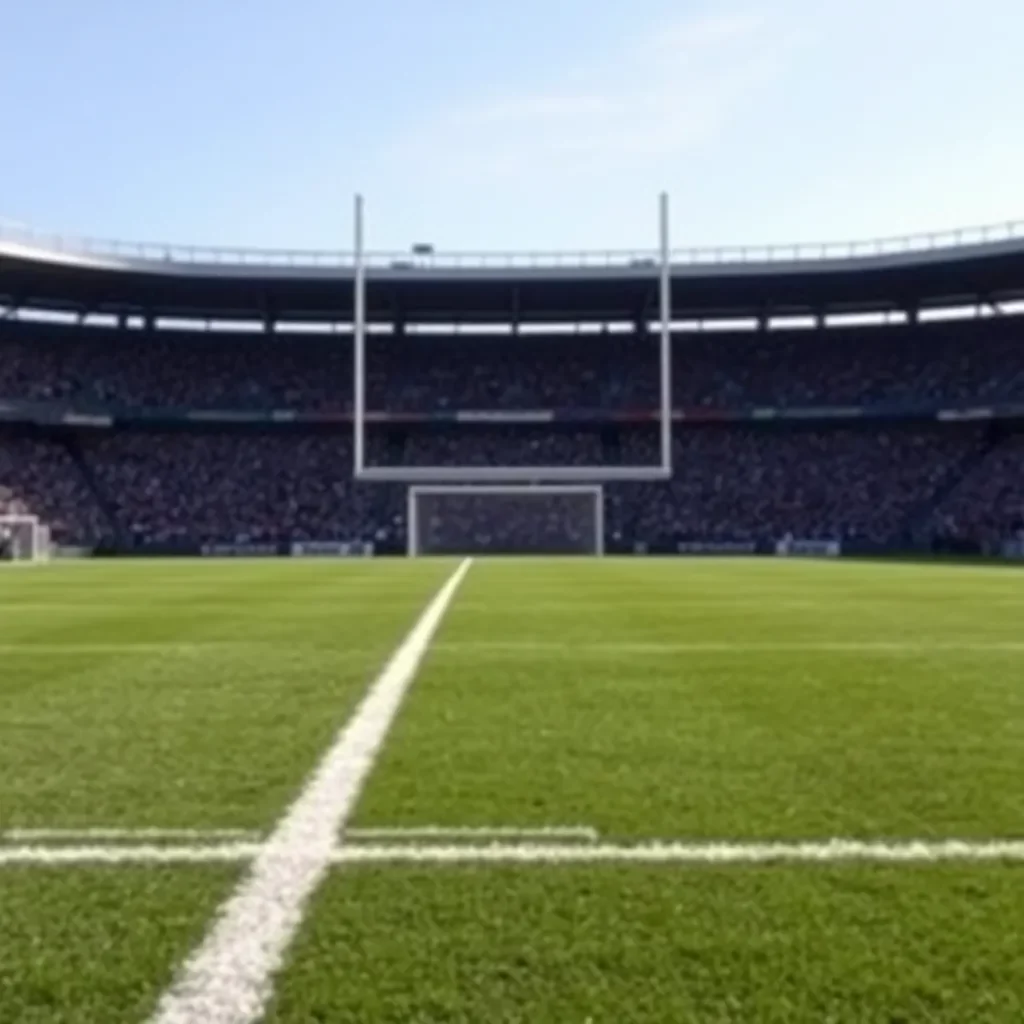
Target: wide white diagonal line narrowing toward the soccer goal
{"points": [[229, 979]]}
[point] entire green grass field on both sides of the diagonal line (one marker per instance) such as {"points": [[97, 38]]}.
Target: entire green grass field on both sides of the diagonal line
{"points": [[738, 703]]}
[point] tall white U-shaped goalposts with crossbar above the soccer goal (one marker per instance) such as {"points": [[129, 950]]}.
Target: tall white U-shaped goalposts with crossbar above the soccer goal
{"points": [[661, 471]]}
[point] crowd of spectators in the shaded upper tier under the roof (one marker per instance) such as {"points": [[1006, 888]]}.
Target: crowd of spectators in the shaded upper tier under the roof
{"points": [[978, 361]]}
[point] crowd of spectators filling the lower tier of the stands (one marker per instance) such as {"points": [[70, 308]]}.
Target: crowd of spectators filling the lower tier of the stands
{"points": [[730, 485]]}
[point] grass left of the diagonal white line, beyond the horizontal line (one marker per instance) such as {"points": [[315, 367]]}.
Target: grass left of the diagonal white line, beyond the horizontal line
{"points": [[185, 696]]}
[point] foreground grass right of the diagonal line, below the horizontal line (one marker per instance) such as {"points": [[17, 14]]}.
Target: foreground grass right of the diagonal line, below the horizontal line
{"points": [[571, 946]]}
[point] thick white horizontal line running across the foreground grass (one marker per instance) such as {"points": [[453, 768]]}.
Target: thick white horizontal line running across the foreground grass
{"points": [[835, 851]]}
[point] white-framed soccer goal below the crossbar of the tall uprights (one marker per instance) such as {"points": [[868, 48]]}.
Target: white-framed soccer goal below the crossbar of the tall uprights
{"points": [[506, 520]]}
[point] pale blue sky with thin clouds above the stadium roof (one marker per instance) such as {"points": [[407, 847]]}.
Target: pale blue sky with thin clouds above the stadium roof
{"points": [[541, 124]]}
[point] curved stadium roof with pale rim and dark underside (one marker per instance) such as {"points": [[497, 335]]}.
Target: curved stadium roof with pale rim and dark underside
{"points": [[915, 273]]}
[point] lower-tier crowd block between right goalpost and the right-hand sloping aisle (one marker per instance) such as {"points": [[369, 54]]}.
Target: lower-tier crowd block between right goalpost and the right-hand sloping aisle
{"points": [[860, 486]]}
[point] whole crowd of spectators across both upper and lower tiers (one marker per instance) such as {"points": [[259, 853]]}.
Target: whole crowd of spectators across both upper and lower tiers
{"points": [[750, 484]]}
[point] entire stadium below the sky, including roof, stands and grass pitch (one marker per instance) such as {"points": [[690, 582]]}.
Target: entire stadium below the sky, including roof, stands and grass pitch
{"points": [[294, 731]]}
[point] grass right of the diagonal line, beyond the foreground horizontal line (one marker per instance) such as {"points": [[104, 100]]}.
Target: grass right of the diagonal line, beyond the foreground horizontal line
{"points": [[719, 701]]}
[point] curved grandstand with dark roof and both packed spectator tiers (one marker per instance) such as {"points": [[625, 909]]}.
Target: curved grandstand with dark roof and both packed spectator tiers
{"points": [[874, 403]]}
